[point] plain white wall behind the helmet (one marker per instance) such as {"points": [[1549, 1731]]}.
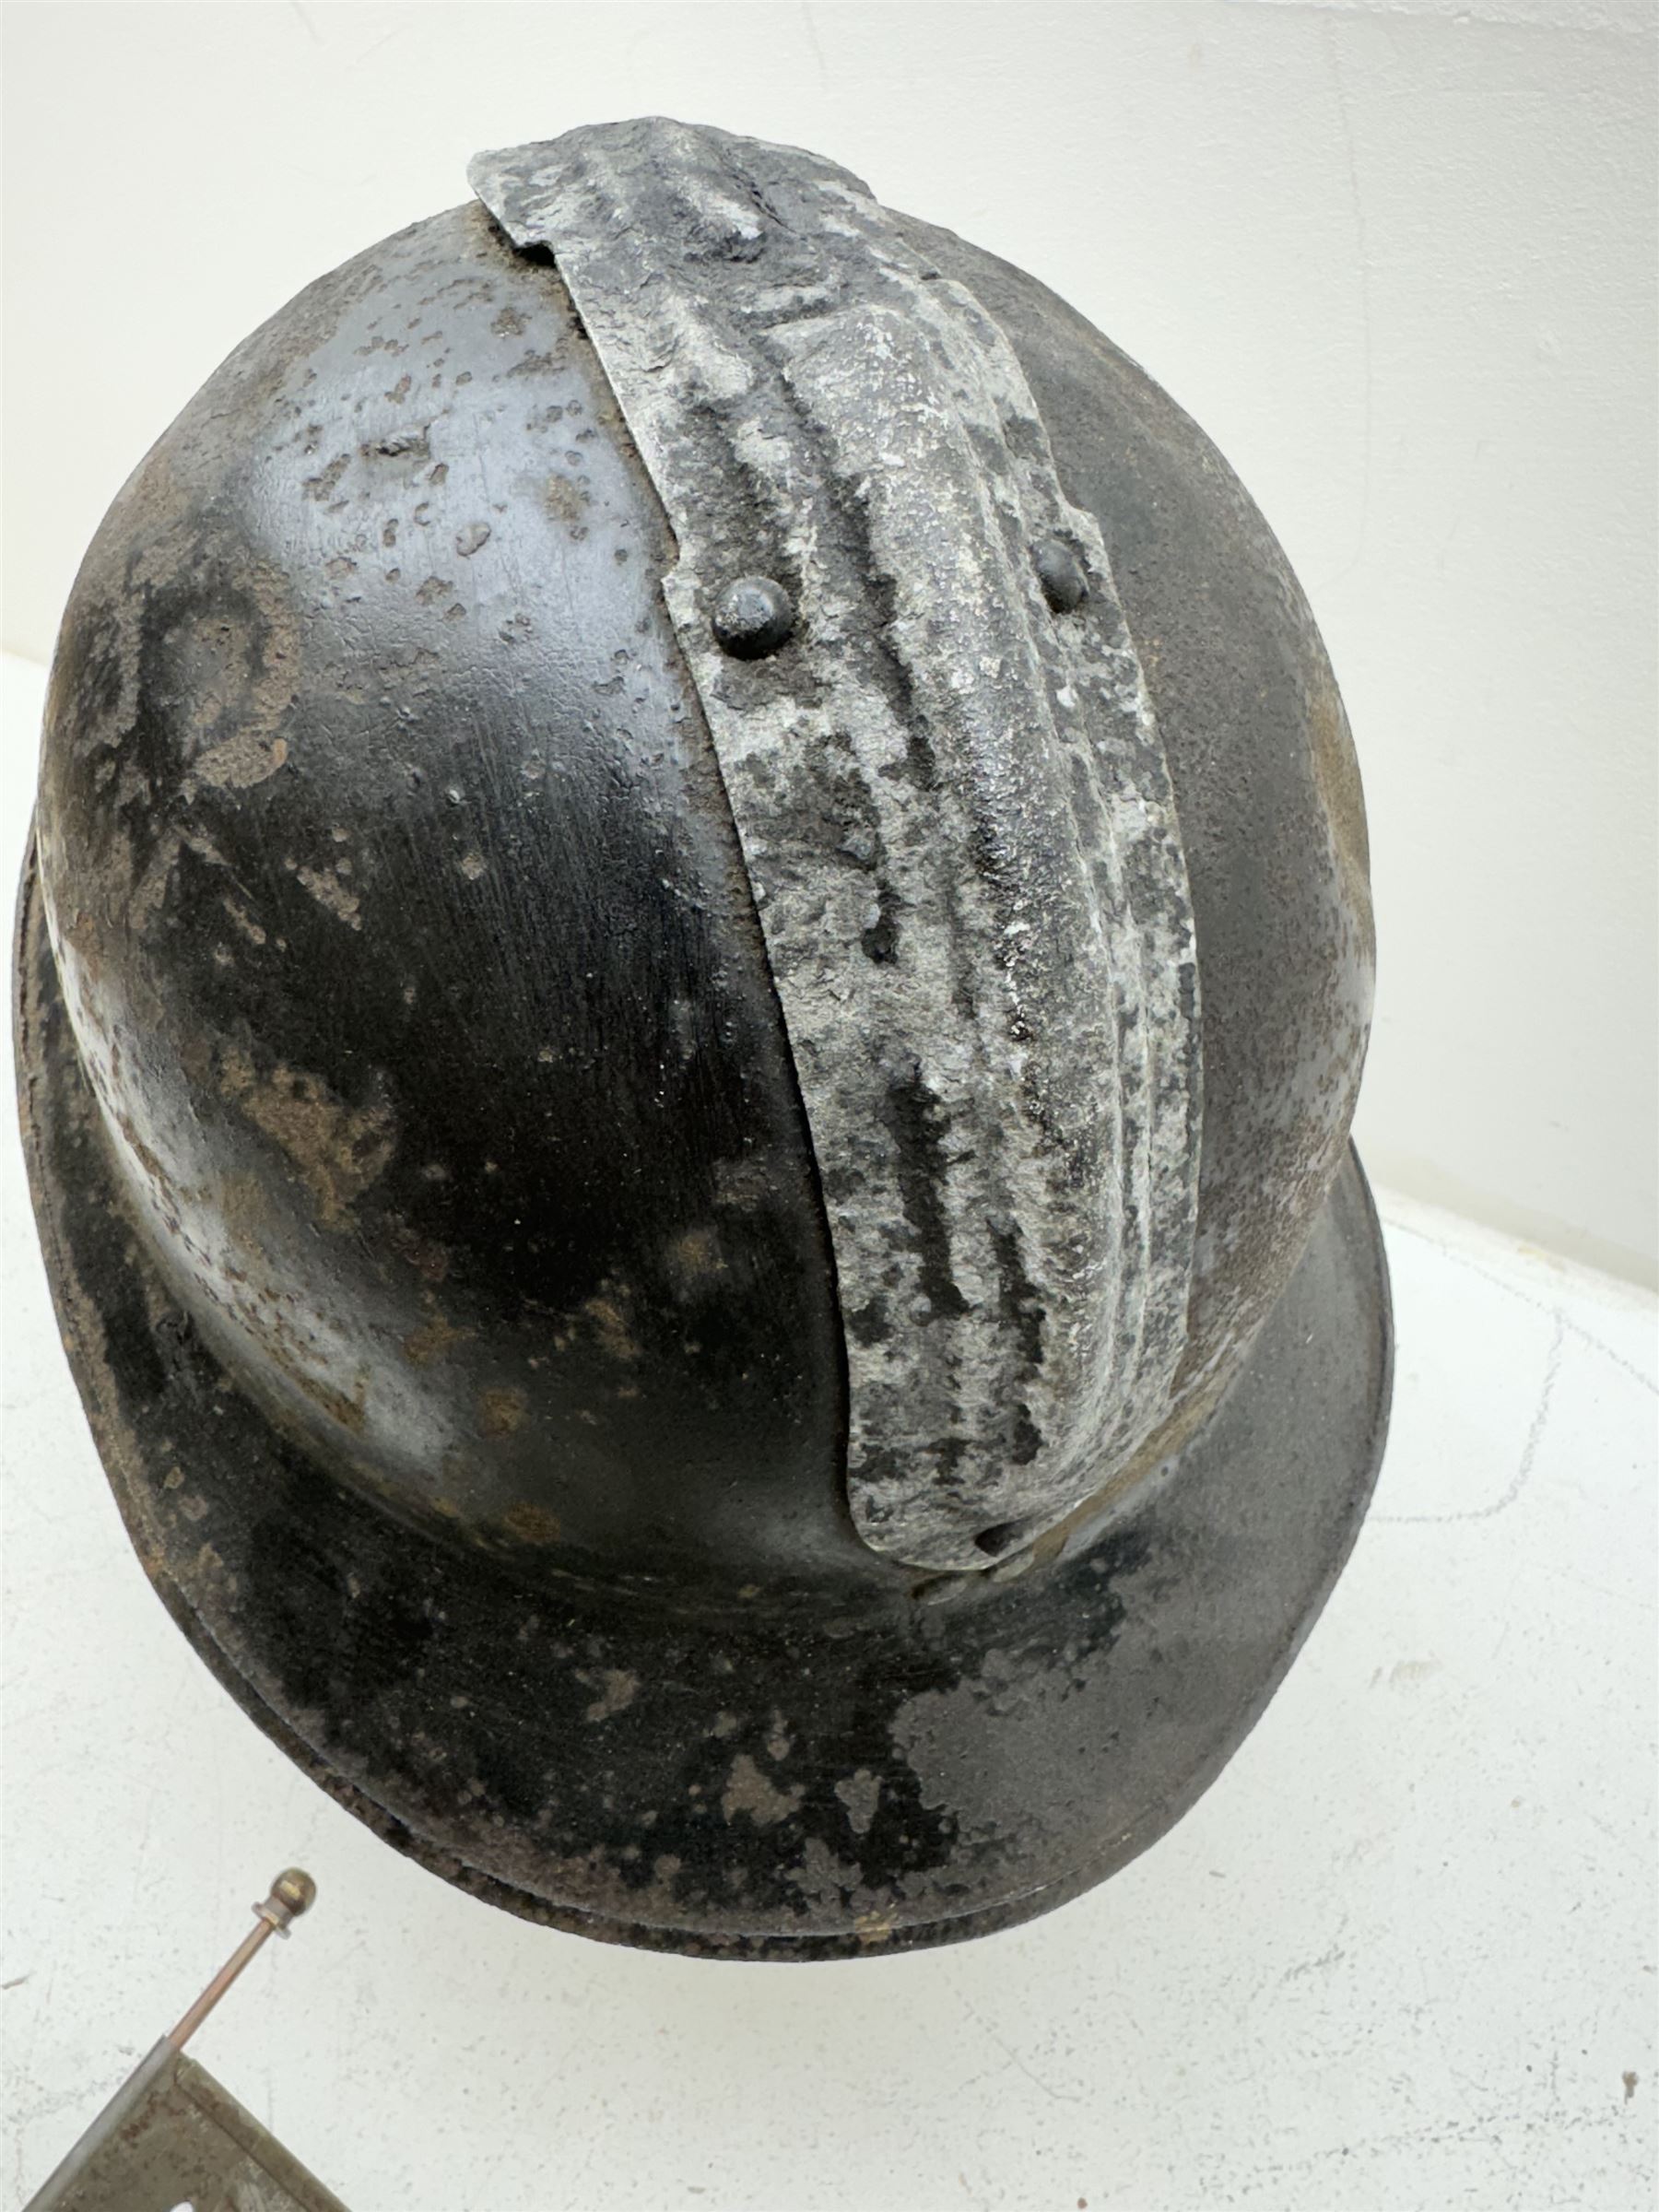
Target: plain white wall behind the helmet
{"points": [[1399, 260]]}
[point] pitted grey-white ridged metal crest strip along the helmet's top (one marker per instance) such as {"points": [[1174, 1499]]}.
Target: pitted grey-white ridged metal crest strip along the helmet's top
{"points": [[952, 804]]}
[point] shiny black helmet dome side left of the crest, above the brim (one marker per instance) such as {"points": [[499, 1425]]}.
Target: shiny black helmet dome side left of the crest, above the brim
{"points": [[410, 952]]}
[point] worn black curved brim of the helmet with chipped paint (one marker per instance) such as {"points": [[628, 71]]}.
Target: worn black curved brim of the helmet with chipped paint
{"points": [[751, 1782]]}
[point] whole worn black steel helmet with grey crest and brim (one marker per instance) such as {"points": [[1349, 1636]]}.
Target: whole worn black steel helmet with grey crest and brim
{"points": [[691, 994]]}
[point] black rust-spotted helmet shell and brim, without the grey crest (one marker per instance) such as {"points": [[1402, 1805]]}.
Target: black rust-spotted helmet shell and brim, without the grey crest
{"points": [[432, 1211]]}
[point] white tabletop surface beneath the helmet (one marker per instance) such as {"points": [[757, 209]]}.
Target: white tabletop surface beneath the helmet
{"points": [[1401, 1954]]}
